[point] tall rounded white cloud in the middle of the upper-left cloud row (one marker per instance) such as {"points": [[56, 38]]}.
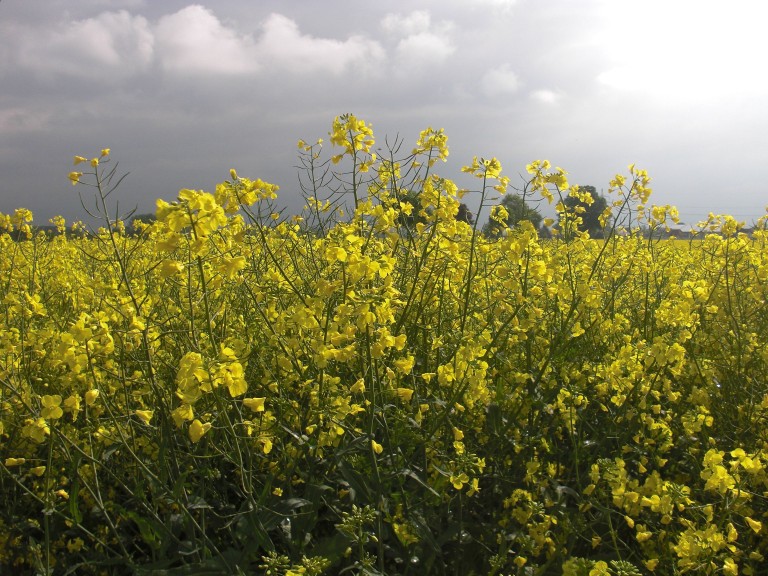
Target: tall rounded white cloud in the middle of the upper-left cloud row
{"points": [[193, 40]]}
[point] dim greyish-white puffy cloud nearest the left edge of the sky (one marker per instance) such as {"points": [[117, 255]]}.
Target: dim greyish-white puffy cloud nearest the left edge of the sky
{"points": [[112, 44]]}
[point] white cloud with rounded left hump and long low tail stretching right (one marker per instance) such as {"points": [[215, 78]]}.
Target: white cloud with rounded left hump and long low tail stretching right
{"points": [[283, 46]]}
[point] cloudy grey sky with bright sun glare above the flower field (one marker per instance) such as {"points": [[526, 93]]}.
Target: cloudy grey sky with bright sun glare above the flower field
{"points": [[182, 91]]}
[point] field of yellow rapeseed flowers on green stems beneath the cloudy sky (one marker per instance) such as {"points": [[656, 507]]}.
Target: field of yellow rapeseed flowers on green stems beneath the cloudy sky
{"points": [[375, 387]]}
